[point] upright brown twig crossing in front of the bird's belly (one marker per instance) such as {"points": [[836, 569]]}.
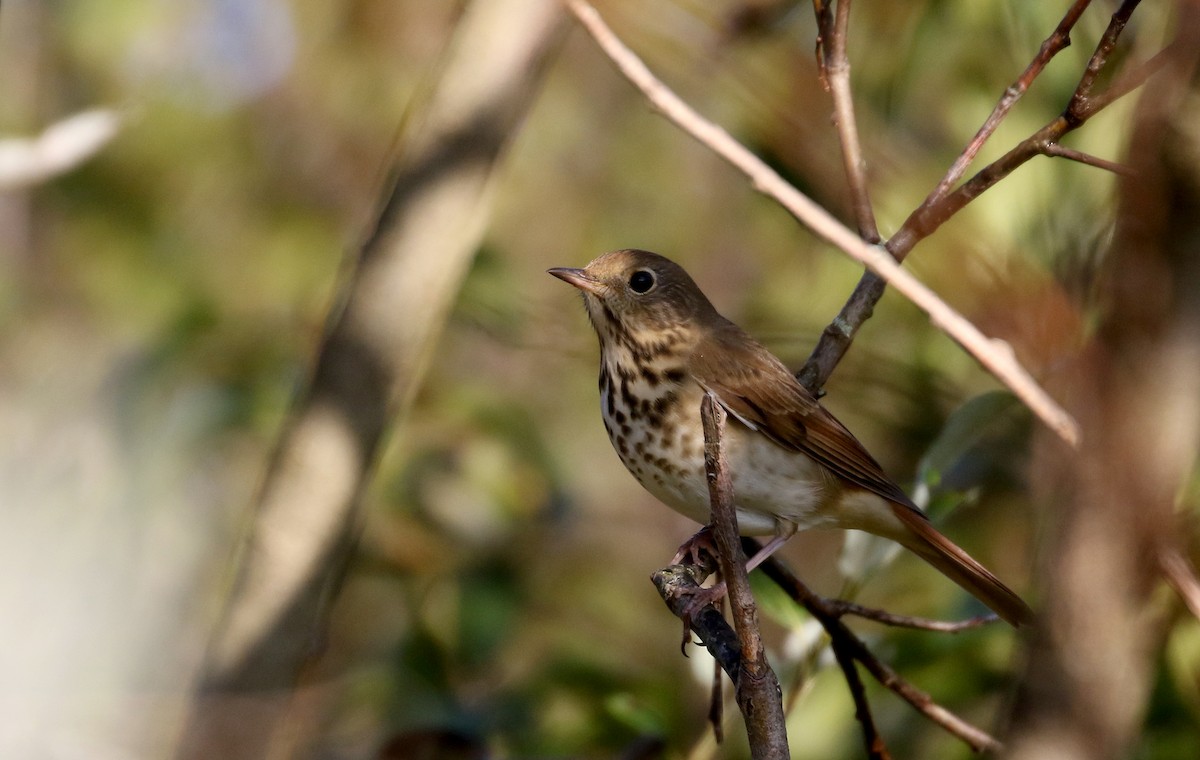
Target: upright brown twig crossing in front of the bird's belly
{"points": [[758, 689]]}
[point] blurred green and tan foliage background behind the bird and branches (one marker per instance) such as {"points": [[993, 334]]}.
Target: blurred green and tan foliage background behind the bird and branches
{"points": [[161, 306]]}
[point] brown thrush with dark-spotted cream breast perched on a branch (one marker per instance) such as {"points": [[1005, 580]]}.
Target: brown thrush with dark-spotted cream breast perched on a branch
{"points": [[794, 465]]}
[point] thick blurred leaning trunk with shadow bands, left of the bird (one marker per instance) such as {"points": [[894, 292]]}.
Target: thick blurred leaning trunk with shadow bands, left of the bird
{"points": [[368, 369]]}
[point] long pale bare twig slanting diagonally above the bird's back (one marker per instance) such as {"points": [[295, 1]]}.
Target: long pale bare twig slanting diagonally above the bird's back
{"points": [[994, 355]]}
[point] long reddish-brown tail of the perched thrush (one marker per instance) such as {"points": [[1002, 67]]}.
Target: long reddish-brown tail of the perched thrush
{"points": [[958, 566]]}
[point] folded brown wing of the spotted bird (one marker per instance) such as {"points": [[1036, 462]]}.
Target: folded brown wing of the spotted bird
{"points": [[755, 387]]}
